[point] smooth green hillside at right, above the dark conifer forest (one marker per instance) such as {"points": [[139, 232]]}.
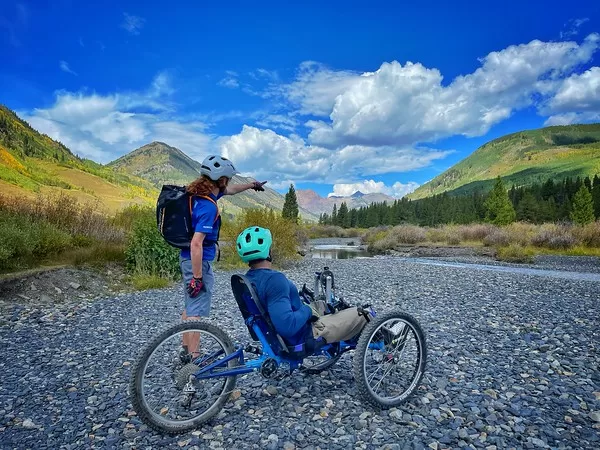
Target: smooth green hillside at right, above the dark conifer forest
{"points": [[522, 159]]}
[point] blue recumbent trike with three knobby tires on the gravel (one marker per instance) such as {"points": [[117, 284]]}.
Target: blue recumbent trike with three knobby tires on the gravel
{"points": [[175, 392]]}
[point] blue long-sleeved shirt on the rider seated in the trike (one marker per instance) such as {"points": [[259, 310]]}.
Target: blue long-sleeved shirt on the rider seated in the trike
{"points": [[279, 296]]}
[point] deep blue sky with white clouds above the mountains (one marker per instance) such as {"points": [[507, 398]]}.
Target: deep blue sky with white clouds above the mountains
{"points": [[375, 96]]}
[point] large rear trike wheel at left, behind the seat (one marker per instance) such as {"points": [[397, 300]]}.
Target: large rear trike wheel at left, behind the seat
{"points": [[163, 389]]}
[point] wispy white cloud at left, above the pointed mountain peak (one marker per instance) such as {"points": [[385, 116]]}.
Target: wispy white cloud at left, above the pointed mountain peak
{"points": [[104, 127]]}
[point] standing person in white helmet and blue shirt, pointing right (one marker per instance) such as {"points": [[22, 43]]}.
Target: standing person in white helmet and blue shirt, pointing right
{"points": [[196, 263]]}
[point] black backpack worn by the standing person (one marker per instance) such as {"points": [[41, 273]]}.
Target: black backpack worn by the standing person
{"points": [[174, 215]]}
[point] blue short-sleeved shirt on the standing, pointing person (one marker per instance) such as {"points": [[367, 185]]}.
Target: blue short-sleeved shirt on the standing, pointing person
{"points": [[204, 213]]}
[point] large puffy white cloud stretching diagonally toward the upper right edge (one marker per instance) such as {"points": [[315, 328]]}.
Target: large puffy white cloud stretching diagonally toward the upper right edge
{"points": [[405, 104]]}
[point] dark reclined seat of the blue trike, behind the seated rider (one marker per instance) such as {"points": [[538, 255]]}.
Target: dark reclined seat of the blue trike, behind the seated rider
{"points": [[254, 313]]}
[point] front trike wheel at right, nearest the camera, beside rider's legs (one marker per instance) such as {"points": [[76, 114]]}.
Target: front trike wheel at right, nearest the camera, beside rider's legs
{"points": [[390, 359]]}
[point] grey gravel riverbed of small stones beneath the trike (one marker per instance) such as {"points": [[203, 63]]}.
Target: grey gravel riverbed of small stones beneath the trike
{"points": [[513, 363]]}
